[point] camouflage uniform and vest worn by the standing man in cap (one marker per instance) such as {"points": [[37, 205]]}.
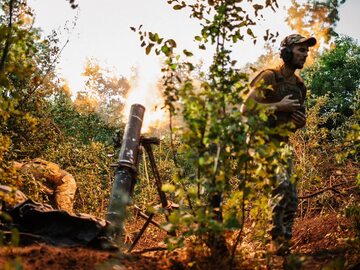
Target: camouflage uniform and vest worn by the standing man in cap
{"points": [[284, 197]]}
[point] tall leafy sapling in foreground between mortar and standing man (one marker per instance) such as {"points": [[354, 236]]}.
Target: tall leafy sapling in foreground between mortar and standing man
{"points": [[232, 156]]}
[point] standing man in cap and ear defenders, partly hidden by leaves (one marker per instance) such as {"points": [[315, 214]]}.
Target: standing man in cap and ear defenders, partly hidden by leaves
{"points": [[284, 91]]}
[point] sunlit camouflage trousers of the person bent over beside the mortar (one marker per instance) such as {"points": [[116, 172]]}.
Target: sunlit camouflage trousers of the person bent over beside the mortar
{"points": [[65, 193]]}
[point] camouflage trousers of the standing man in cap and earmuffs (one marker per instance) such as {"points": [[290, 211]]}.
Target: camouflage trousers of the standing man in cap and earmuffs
{"points": [[283, 203]]}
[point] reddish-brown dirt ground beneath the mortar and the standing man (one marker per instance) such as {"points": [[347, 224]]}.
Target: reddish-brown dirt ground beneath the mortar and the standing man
{"points": [[322, 242]]}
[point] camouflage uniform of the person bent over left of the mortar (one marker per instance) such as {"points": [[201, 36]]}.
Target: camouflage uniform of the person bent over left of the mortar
{"points": [[56, 181]]}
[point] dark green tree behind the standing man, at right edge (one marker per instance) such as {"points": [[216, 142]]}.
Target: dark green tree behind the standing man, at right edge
{"points": [[337, 74]]}
